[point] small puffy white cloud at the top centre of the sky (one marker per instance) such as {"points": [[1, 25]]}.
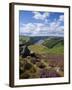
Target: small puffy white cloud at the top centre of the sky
{"points": [[41, 16]]}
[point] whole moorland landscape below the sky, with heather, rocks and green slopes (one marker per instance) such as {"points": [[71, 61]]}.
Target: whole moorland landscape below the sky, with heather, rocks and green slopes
{"points": [[46, 59]]}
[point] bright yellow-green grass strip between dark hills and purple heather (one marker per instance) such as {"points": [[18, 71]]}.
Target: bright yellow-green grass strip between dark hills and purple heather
{"points": [[40, 49]]}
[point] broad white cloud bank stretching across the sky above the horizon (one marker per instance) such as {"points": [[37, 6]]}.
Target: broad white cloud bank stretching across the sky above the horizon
{"points": [[41, 29]]}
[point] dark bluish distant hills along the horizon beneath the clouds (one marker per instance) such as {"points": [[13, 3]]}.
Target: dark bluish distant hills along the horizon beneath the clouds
{"points": [[39, 39]]}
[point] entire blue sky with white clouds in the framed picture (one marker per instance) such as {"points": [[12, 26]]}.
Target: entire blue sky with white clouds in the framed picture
{"points": [[32, 23]]}
